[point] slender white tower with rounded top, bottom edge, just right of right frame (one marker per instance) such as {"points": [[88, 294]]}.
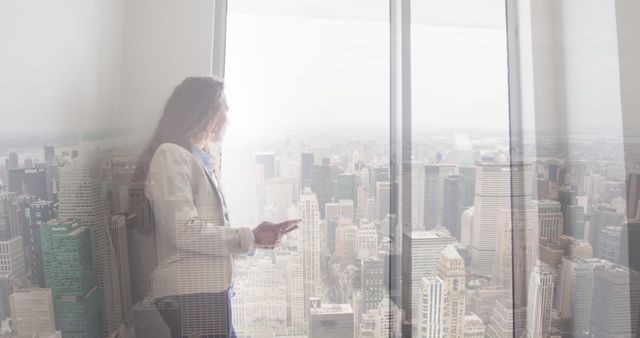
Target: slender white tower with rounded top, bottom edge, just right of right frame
{"points": [[540, 301]]}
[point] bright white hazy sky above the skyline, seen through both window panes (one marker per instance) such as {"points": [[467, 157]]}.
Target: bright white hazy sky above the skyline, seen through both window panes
{"points": [[285, 73]]}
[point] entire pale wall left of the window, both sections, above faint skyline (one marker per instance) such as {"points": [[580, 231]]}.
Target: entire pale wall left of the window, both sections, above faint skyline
{"points": [[87, 64]]}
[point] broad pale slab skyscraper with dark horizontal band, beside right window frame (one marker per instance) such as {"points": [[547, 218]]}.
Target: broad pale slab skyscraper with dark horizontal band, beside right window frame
{"points": [[497, 186]]}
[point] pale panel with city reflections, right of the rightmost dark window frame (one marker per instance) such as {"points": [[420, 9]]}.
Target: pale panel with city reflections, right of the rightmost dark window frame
{"points": [[577, 74]]}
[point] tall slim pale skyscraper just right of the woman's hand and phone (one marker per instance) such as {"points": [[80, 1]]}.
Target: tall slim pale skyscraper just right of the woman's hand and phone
{"points": [[310, 246]]}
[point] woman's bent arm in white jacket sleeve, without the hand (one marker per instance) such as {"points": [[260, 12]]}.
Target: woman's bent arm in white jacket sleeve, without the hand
{"points": [[169, 186]]}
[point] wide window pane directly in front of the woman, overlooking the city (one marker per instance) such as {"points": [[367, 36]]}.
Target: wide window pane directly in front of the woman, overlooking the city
{"points": [[308, 87]]}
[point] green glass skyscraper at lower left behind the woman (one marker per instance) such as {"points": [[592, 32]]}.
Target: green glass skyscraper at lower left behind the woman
{"points": [[66, 248]]}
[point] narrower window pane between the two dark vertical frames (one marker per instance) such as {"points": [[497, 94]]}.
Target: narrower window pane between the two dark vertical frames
{"points": [[457, 267]]}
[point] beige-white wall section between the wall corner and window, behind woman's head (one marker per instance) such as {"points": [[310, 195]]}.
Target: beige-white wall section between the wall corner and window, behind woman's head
{"points": [[164, 42]]}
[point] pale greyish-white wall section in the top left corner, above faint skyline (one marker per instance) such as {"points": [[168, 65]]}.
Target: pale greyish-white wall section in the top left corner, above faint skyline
{"points": [[60, 63]]}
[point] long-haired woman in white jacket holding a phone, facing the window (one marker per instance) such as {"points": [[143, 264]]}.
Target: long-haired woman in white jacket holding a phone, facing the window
{"points": [[194, 244]]}
